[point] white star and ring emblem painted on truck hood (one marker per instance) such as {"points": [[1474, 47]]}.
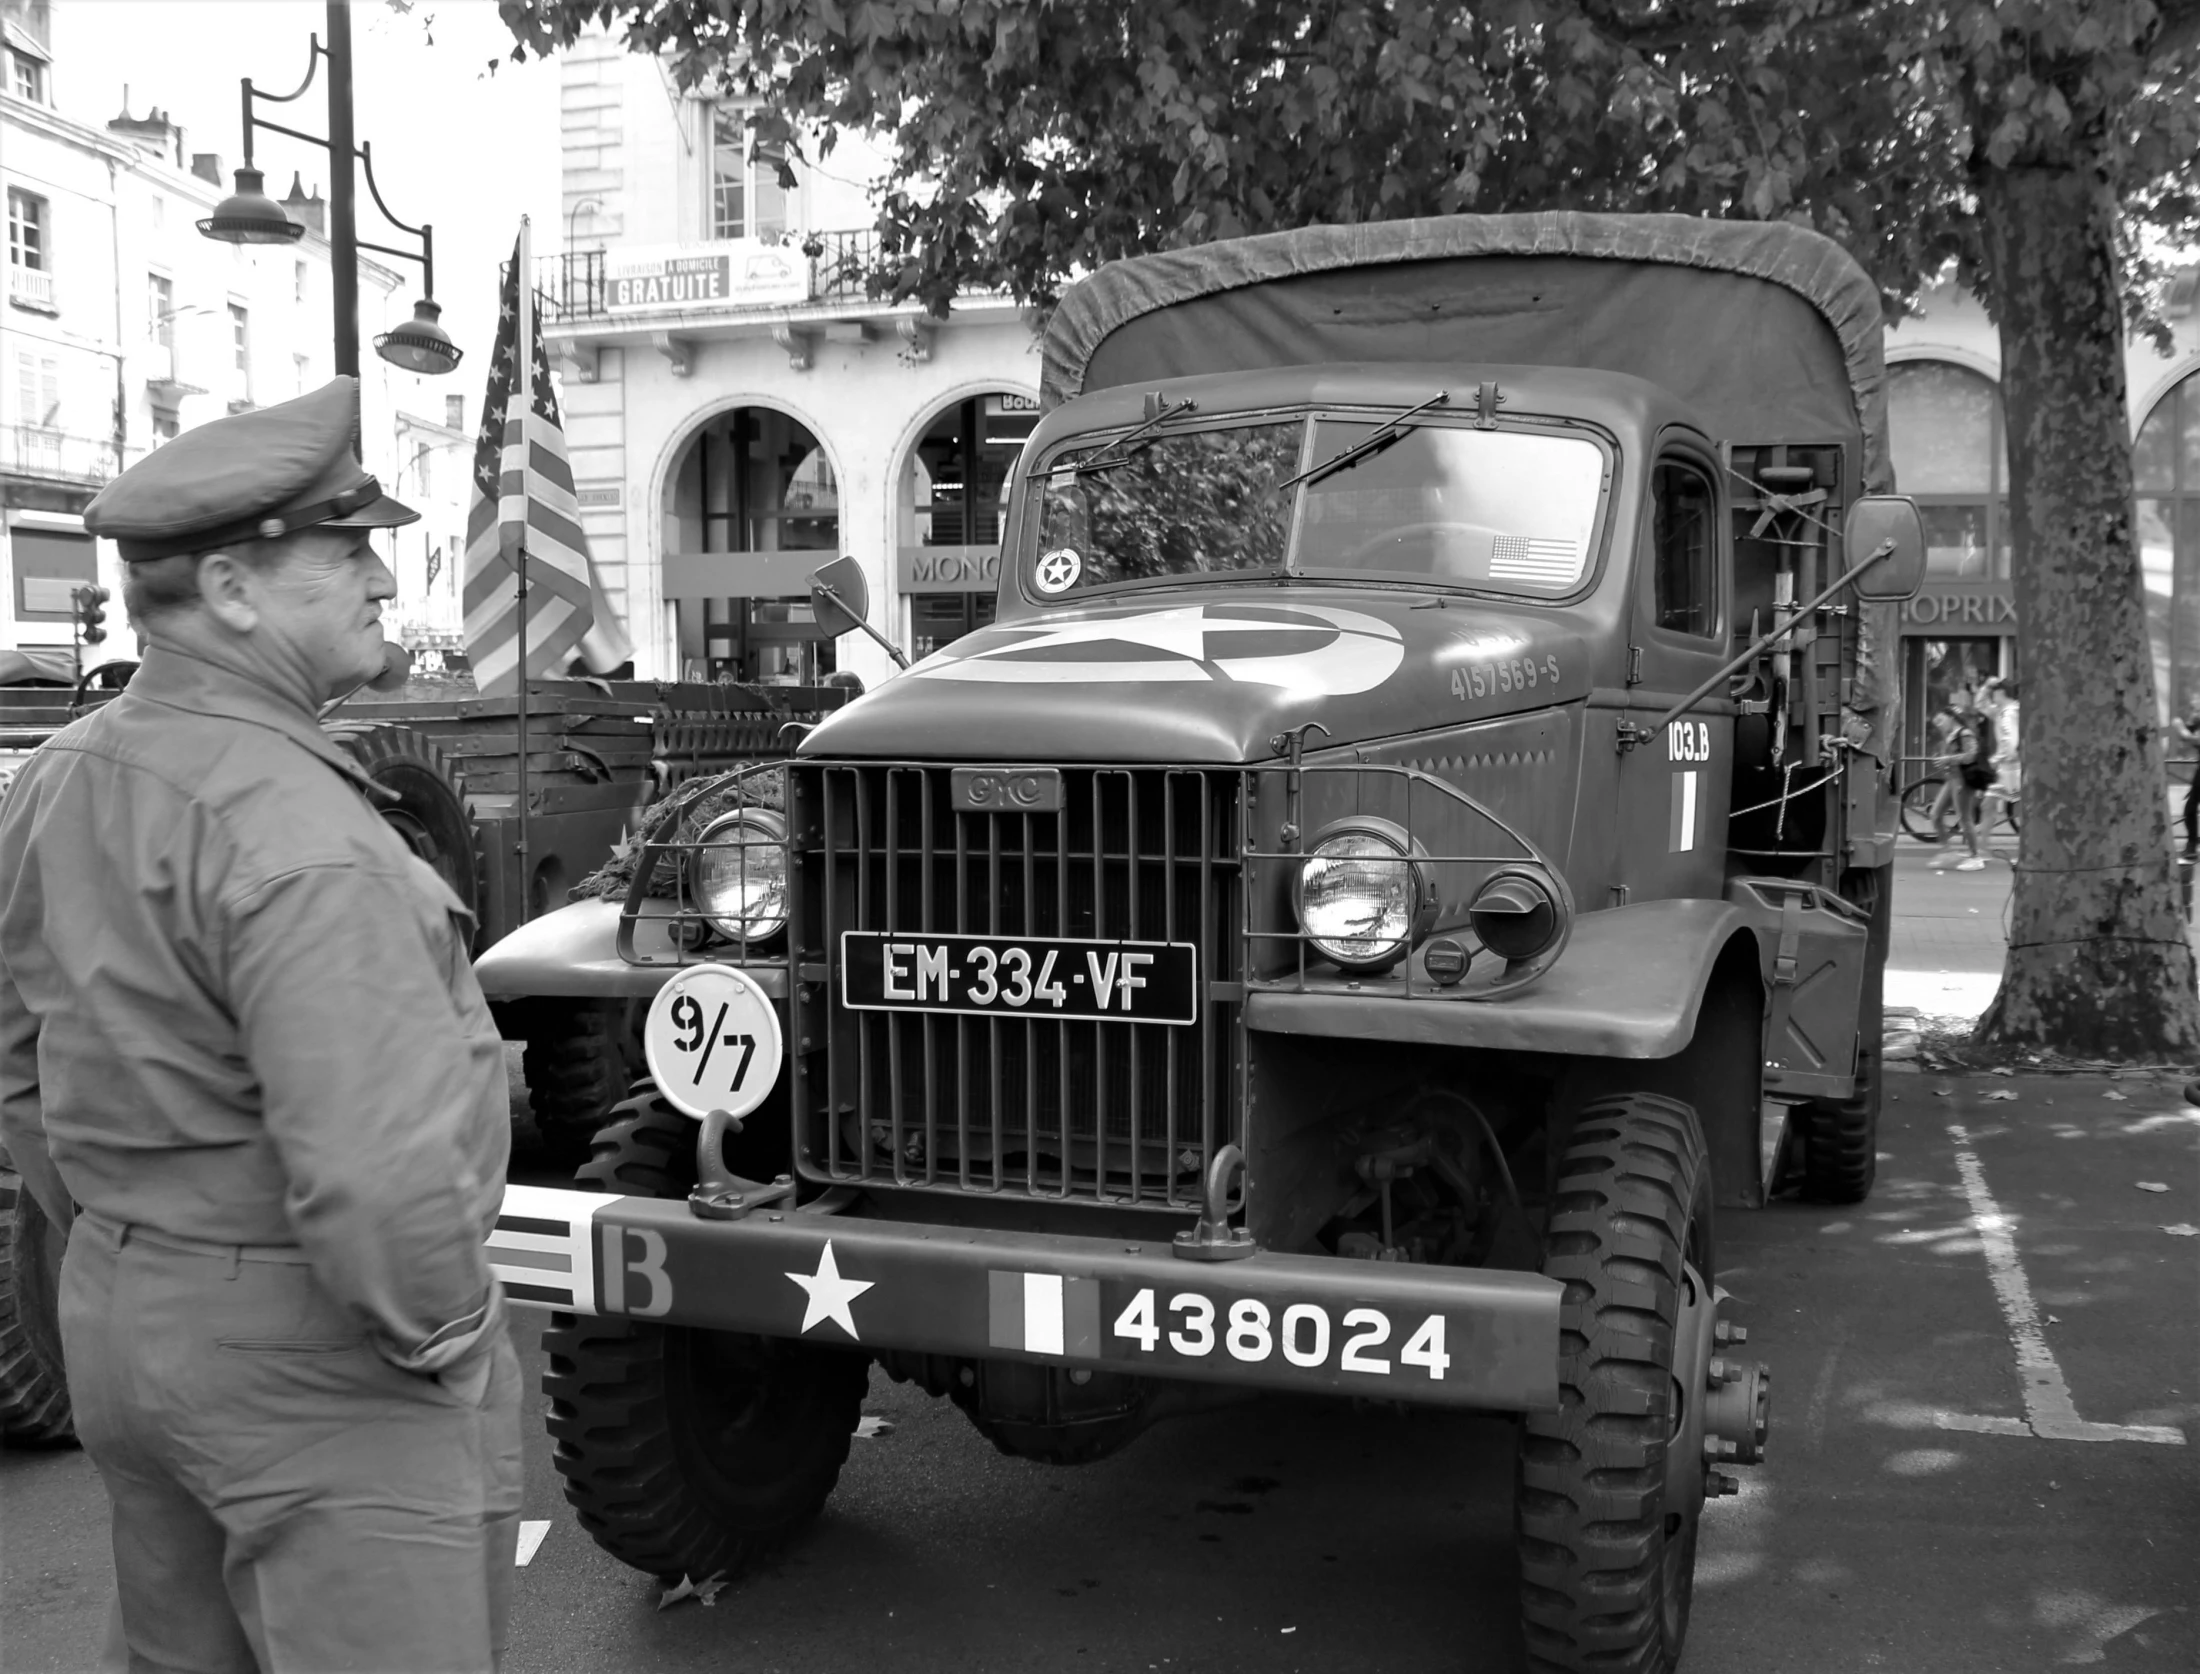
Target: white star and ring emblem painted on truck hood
{"points": [[1299, 648]]}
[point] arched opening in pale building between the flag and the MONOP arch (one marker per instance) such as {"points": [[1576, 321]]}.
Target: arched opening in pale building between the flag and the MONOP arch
{"points": [[751, 509]]}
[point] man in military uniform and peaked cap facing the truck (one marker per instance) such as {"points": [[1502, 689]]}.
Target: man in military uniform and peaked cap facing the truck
{"points": [[241, 1033]]}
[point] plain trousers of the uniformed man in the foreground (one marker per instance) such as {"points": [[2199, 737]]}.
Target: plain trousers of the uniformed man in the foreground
{"points": [[285, 1499]]}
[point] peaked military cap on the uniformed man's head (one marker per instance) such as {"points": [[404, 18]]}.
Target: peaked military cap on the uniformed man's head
{"points": [[247, 478]]}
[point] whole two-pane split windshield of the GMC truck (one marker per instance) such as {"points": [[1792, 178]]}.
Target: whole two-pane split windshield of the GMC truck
{"points": [[1504, 511]]}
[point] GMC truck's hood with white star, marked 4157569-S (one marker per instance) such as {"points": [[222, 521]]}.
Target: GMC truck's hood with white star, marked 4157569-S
{"points": [[1213, 679]]}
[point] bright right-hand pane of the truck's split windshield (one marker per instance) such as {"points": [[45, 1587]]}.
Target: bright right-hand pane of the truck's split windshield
{"points": [[1510, 511]]}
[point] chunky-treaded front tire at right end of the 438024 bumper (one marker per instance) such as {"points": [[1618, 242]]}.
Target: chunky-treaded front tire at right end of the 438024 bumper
{"points": [[1607, 1499]]}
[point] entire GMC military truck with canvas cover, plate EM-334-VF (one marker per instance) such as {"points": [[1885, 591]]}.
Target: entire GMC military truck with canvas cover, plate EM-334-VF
{"points": [[1411, 852]]}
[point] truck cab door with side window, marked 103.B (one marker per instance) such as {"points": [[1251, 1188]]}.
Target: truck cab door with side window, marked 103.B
{"points": [[1675, 786]]}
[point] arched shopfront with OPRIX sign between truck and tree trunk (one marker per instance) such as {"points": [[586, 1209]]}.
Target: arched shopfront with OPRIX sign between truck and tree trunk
{"points": [[1952, 456]]}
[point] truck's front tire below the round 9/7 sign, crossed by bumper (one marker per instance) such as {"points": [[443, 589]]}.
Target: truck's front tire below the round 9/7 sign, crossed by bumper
{"points": [[690, 1453]]}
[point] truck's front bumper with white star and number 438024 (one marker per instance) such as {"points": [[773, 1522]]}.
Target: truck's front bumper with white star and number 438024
{"points": [[1433, 1336]]}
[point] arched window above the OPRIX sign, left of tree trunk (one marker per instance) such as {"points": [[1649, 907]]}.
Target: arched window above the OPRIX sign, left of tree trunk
{"points": [[1950, 454]]}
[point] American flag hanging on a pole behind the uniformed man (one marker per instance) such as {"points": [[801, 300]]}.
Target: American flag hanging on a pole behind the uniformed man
{"points": [[522, 500]]}
